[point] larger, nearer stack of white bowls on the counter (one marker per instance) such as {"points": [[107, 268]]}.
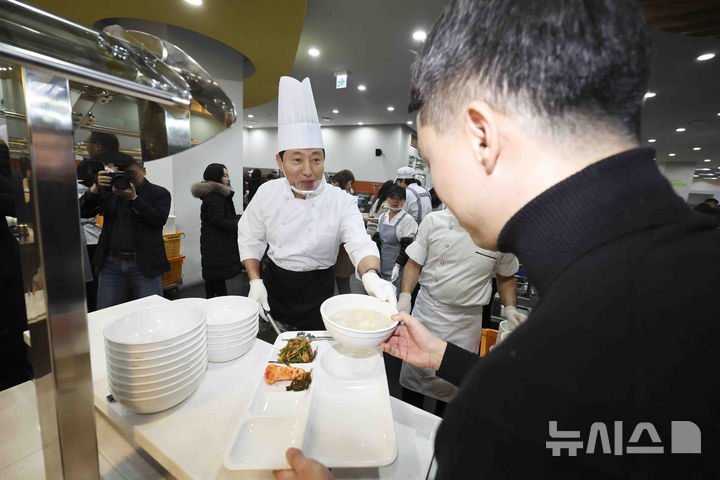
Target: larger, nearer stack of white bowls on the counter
{"points": [[156, 357]]}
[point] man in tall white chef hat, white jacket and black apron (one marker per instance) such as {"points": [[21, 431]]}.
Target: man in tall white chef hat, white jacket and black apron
{"points": [[302, 221]]}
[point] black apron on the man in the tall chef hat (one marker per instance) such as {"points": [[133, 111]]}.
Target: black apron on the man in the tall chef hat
{"points": [[295, 297]]}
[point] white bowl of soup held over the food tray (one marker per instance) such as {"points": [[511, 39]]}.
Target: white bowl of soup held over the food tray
{"points": [[358, 321]]}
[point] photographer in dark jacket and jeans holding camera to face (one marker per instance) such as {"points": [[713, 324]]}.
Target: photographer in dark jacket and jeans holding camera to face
{"points": [[131, 250]]}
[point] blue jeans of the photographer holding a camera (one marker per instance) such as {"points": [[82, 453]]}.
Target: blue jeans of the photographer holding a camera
{"points": [[117, 275]]}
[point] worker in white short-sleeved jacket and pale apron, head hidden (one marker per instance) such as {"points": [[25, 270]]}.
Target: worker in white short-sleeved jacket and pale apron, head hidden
{"points": [[456, 281]]}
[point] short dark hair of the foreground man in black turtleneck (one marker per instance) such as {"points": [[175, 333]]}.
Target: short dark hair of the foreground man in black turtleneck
{"points": [[560, 63]]}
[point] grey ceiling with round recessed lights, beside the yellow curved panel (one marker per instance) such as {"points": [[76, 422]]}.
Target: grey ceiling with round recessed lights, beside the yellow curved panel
{"points": [[372, 40]]}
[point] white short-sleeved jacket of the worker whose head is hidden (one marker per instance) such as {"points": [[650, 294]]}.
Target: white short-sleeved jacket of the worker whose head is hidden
{"points": [[455, 270]]}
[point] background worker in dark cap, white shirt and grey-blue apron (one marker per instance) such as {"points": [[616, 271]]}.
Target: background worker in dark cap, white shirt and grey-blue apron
{"points": [[396, 229]]}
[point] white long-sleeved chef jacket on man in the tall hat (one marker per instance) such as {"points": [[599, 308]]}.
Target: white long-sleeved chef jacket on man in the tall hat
{"points": [[303, 234]]}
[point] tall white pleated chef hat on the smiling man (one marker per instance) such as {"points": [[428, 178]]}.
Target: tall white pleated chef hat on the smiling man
{"points": [[298, 124]]}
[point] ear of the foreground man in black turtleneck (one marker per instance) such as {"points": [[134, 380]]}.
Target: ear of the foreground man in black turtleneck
{"points": [[480, 124]]}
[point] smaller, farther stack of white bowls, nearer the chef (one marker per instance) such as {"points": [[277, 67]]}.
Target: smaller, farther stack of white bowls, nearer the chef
{"points": [[232, 324]]}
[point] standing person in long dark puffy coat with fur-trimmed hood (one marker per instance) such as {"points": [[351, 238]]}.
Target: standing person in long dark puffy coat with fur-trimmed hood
{"points": [[218, 232]]}
